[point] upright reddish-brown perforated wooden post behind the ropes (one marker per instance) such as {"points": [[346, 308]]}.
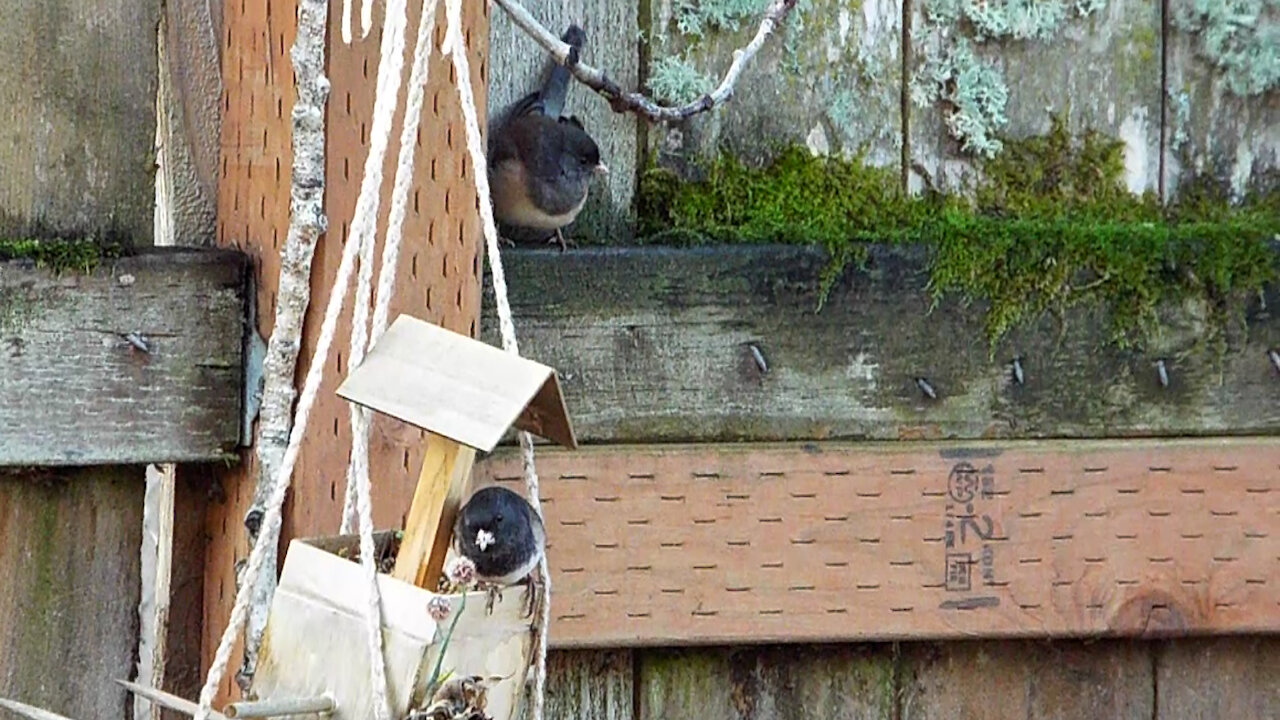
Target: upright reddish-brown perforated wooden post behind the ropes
{"points": [[437, 279]]}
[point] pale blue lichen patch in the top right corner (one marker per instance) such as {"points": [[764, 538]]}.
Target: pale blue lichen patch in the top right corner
{"points": [[1240, 38]]}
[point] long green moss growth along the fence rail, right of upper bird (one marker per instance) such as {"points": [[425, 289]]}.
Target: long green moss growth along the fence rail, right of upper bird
{"points": [[1050, 225]]}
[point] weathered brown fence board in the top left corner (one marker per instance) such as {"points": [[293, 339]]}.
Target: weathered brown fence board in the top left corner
{"points": [[79, 133]]}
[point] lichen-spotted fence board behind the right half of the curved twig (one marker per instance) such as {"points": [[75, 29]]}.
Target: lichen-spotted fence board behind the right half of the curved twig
{"points": [[829, 81]]}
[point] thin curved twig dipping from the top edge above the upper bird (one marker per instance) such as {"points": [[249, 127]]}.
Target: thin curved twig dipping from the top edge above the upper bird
{"points": [[638, 103]]}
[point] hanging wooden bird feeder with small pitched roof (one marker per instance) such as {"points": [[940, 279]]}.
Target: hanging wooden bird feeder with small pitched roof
{"points": [[467, 395]]}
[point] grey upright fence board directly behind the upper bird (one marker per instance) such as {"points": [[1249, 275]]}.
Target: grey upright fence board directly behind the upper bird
{"points": [[518, 66]]}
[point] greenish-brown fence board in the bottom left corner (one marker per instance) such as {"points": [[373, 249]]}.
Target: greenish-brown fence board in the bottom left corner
{"points": [[70, 598]]}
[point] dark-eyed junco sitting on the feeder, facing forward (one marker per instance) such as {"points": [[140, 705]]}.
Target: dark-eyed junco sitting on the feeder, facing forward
{"points": [[501, 534]]}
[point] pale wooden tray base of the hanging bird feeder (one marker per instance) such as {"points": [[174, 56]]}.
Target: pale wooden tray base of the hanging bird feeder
{"points": [[316, 642]]}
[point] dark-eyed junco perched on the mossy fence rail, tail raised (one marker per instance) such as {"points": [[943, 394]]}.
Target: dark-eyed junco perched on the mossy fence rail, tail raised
{"points": [[542, 163]]}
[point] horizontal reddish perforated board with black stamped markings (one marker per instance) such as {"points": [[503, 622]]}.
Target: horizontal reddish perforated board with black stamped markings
{"points": [[744, 544]]}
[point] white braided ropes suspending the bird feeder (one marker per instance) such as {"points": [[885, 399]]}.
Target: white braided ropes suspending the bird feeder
{"points": [[362, 247]]}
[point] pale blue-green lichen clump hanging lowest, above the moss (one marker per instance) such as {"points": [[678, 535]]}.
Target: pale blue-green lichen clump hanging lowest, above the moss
{"points": [[976, 92]]}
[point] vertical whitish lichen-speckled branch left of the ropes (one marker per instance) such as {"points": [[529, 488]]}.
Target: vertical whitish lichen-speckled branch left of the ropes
{"points": [[308, 224]]}
